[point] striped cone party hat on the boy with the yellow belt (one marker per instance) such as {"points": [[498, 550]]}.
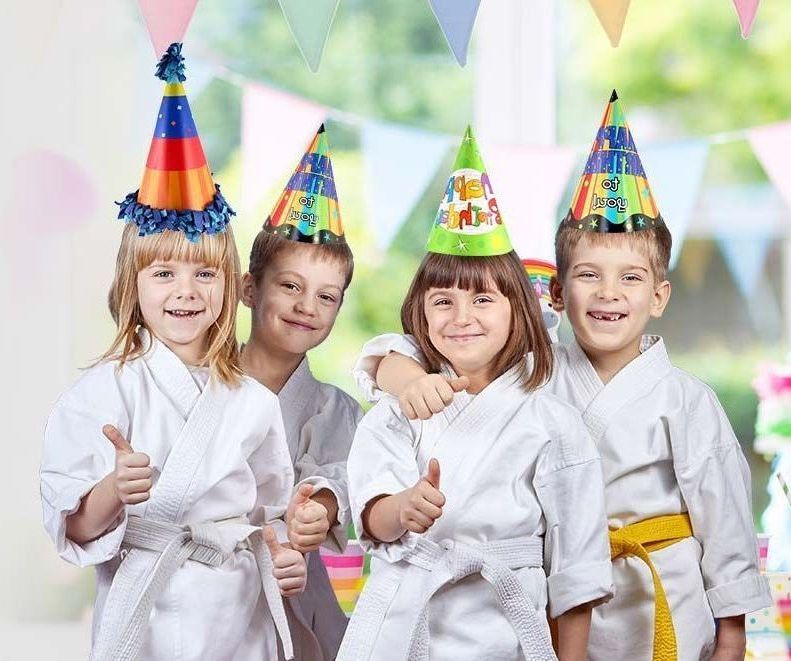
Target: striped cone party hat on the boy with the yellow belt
{"points": [[613, 194]]}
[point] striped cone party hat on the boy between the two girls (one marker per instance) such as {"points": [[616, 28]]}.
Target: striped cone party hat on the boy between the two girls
{"points": [[307, 210]]}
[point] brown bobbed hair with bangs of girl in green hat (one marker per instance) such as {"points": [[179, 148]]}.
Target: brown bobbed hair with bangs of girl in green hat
{"points": [[527, 333]]}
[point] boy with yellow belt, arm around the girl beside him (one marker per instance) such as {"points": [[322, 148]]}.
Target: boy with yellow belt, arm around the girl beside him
{"points": [[677, 485]]}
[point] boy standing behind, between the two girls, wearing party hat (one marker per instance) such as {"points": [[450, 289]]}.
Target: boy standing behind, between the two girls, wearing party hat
{"points": [[299, 272]]}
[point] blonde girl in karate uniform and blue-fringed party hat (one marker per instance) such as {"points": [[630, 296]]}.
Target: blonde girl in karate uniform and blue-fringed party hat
{"points": [[163, 460]]}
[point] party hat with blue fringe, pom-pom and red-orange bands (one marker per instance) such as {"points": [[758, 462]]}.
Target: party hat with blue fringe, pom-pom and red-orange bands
{"points": [[177, 192]]}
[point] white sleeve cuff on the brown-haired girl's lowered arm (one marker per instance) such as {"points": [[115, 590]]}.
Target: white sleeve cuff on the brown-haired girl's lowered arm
{"points": [[579, 584]]}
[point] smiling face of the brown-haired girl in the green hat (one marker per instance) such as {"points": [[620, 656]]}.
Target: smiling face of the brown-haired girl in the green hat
{"points": [[468, 328]]}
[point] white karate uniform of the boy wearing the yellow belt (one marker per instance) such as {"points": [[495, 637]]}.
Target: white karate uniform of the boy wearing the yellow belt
{"points": [[667, 448]]}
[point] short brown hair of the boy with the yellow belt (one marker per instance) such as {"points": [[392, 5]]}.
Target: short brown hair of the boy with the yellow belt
{"points": [[655, 243]]}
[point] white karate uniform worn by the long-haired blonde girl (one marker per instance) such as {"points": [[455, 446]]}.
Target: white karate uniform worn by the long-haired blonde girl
{"points": [[218, 455]]}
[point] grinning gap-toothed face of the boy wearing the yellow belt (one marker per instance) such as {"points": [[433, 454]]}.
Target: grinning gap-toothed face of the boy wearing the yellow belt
{"points": [[610, 294]]}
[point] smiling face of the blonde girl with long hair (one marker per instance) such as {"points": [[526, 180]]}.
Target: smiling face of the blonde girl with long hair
{"points": [[180, 301]]}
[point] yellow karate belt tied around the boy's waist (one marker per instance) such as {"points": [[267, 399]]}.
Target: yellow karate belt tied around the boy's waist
{"points": [[639, 539]]}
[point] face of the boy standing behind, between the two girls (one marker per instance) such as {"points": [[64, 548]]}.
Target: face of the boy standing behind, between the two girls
{"points": [[296, 303]]}
